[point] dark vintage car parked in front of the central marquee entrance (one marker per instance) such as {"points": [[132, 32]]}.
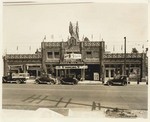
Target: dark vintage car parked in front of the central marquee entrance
{"points": [[69, 80]]}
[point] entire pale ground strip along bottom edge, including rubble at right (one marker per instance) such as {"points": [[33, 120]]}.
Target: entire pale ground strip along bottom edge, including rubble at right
{"points": [[85, 113]]}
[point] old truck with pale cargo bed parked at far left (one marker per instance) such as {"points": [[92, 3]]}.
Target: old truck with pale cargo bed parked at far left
{"points": [[15, 78]]}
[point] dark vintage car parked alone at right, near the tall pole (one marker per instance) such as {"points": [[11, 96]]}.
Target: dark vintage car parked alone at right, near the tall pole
{"points": [[119, 79]]}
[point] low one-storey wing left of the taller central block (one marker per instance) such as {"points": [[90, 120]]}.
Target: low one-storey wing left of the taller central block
{"points": [[23, 63]]}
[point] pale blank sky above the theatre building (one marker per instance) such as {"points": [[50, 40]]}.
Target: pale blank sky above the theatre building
{"points": [[25, 26]]}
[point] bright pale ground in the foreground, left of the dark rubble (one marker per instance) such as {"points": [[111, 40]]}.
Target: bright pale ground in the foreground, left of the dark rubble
{"points": [[50, 113]]}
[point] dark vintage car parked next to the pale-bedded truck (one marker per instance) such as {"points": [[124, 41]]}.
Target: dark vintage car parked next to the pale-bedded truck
{"points": [[45, 79]]}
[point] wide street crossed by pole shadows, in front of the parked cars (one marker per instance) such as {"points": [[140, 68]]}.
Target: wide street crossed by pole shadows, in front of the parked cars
{"points": [[33, 96]]}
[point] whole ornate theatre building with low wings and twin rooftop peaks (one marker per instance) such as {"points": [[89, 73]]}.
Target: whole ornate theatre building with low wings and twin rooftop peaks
{"points": [[85, 59]]}
